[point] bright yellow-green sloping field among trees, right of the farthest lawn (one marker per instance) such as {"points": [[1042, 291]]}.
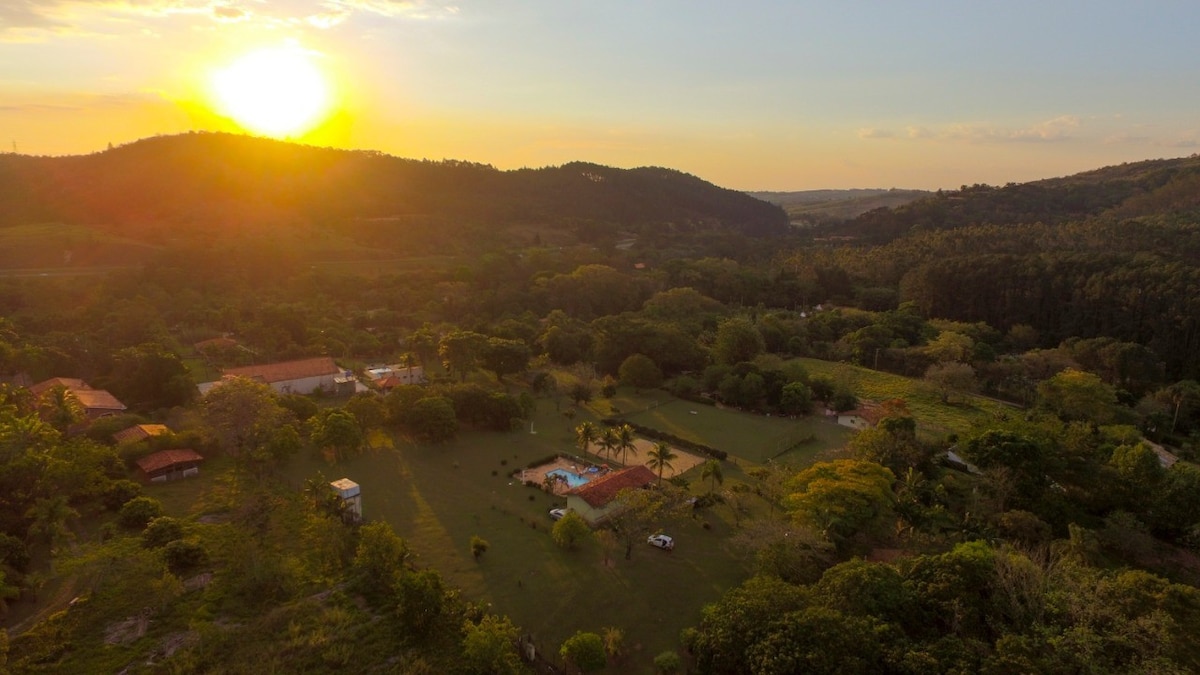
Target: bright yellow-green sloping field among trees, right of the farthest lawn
{"points": [[925, 403]]}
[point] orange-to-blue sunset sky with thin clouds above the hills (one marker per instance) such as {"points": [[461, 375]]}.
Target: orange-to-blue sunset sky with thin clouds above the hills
{"points": [[753, 95]]}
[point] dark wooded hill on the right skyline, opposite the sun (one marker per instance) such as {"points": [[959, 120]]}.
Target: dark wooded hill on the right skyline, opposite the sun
{"points": [[1129, 190]]}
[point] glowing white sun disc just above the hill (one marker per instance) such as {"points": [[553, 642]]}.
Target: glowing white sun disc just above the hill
{"points": [[275, 92]]}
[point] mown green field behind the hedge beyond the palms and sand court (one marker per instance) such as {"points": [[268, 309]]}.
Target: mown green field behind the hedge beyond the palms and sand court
{"points": [[751, 437]]}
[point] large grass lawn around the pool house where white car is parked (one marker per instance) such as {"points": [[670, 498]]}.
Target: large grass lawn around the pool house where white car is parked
{"points": [[439, 497]]}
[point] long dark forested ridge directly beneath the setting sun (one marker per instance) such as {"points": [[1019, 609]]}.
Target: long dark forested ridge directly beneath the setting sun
{"points": [[220, 180]]}
